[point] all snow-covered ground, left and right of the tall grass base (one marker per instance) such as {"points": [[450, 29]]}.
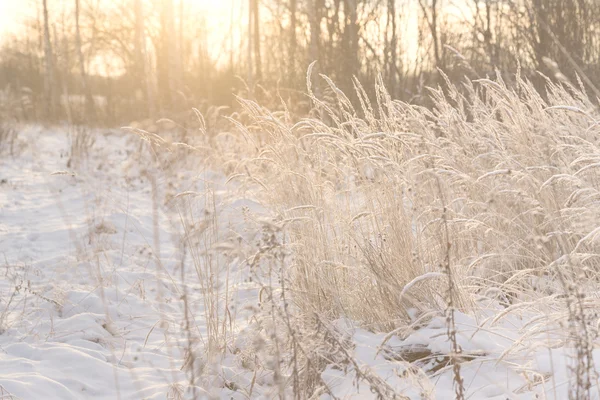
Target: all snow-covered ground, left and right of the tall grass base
{"points": [[114, 269]]}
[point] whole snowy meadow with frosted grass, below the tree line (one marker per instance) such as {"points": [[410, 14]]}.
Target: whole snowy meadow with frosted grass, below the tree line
{"points": [[387, 252]]}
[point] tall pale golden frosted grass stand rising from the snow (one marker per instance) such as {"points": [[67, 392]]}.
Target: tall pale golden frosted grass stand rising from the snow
{"points": [[394, 210]]}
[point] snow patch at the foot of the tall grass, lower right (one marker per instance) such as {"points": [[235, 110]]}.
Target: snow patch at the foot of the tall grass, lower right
{"points": [[488, 370]]}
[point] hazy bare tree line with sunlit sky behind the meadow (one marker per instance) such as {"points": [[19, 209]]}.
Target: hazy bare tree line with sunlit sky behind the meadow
{"points": [[113, 60]]}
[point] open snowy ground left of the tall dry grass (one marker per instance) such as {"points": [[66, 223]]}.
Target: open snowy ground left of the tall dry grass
{"points": [[87, 310]]}
